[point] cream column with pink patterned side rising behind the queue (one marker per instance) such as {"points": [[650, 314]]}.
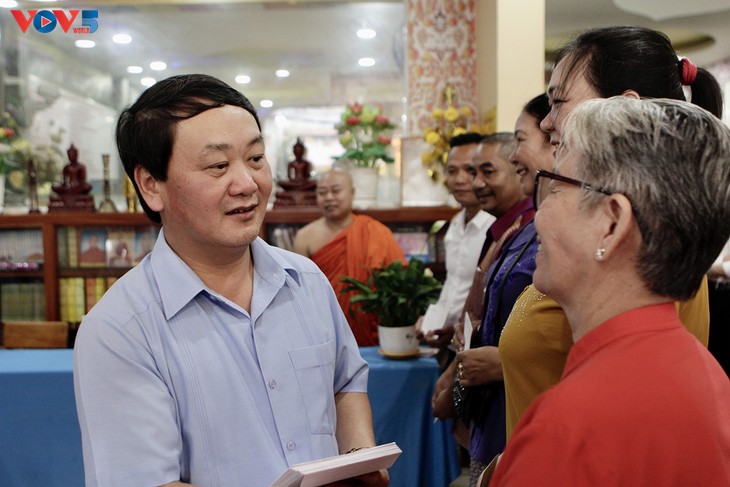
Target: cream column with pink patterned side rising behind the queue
{"points": [[492, 53]]}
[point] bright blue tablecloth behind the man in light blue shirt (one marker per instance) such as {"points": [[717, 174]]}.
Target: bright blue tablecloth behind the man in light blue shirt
{"points": [[40, 442]]}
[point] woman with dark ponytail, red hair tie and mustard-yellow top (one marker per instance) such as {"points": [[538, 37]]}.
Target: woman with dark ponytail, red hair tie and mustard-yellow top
{"points": [[629, 61]]}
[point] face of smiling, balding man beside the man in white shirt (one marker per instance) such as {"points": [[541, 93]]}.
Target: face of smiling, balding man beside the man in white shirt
{"points": [[495, 182]]}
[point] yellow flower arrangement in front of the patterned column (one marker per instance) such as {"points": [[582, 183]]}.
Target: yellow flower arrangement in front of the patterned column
{"points": [[448, 123]]}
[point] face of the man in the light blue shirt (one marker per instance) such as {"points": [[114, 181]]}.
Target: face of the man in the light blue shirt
{"points": [[218, 184]]}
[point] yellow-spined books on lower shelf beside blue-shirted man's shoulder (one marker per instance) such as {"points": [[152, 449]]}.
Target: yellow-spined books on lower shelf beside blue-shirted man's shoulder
{"points": [[77, 295]]}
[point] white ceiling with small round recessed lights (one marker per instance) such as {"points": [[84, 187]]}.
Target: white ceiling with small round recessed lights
{"points": [[316, 42]]}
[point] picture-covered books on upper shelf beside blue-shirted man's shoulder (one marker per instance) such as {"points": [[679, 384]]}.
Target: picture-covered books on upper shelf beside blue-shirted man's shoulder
{"points": [[104, 247]]}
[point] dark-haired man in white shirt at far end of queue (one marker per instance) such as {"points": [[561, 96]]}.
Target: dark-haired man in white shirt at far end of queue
{"points": [[463, 240]]}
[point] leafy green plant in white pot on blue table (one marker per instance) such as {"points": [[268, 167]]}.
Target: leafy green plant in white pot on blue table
{"points": [[397, 295]]}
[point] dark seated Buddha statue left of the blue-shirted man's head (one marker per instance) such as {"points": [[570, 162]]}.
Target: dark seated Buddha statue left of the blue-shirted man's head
{"points": [[72, 193]]}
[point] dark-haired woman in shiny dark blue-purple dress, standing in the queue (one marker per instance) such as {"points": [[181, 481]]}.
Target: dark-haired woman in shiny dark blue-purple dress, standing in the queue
{"points": [[478, 369]]}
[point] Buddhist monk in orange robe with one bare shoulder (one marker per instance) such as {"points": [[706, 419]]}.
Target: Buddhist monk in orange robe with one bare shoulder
{"points": [[342, 243]]}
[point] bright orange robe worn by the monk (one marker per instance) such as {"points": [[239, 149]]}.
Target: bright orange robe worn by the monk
{"points": [[366, 244]]}
